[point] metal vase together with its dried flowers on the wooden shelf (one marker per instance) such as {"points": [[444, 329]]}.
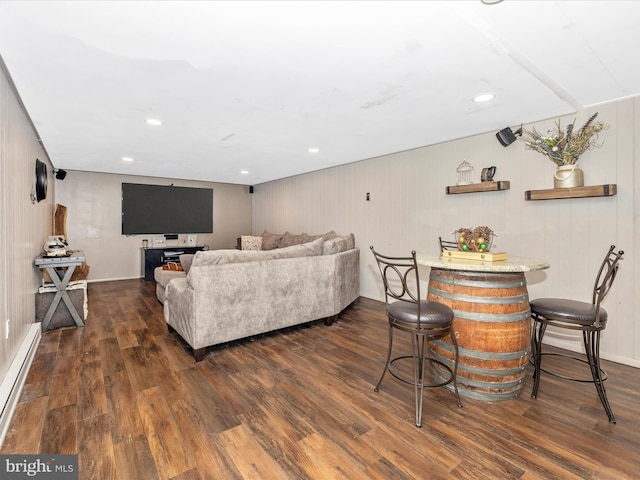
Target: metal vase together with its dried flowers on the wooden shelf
{"points": [[564, 147]]}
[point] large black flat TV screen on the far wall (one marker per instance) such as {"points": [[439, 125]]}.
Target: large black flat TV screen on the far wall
{"points": [[165, 209]]}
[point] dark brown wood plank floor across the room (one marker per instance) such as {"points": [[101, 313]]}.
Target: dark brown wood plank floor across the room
{"points": [[127, 396]]}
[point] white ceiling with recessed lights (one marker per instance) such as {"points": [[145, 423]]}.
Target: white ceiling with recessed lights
{"points": [[253, 85]]}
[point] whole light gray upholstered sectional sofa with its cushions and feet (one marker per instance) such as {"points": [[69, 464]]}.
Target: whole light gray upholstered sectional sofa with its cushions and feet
{"points": [[225, 295]]}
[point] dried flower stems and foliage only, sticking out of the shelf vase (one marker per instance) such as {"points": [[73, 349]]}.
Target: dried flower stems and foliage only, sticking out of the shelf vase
{"points": [[564, 147]]}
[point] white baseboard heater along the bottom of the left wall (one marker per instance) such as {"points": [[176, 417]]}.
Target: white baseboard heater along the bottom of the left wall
{"points": [[11, 386]]}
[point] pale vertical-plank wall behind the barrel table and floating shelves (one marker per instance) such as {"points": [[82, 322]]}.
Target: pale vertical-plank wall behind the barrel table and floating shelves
{"points": [[408, 209]]}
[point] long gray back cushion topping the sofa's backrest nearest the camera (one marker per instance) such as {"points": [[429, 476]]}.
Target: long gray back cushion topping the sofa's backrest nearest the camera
{"points": [[219, 257]]}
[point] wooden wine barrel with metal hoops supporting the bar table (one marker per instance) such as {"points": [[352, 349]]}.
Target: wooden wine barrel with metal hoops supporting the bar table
{"points": [[493, 327]]}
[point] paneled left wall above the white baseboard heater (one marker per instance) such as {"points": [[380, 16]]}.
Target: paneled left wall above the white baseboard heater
{"points": [[24, 225]]}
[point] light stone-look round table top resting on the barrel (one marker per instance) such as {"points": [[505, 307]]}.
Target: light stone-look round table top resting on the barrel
{"points": [[511, 264]]}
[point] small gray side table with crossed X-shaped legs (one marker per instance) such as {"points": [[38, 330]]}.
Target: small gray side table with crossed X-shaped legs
{"points": [[55, 268]]}
